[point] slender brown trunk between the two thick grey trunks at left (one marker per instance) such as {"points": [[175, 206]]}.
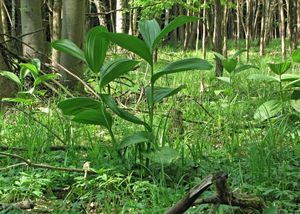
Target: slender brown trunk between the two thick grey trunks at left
{"points": [[56, 28]]}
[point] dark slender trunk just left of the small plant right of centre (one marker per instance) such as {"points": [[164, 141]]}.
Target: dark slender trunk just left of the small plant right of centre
{"points": [[217, 37]]}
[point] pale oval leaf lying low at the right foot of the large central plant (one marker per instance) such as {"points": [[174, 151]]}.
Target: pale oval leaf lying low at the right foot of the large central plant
{"points": [[164, 155]]}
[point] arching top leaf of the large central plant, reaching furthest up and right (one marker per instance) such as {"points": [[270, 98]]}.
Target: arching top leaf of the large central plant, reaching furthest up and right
{"points": [[177, 22]]}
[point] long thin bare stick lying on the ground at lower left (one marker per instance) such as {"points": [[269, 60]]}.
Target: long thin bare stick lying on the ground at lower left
{"points": [[45, 166]]}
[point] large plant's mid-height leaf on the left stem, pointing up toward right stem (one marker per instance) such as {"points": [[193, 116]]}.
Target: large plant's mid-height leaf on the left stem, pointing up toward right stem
{"points": [[116, 68]]}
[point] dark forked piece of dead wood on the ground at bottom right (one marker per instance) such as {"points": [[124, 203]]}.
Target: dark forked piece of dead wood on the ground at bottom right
{"points": [[223, 196]]}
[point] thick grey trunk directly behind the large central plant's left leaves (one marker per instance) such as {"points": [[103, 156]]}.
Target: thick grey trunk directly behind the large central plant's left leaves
{"points": [[72, 28]]}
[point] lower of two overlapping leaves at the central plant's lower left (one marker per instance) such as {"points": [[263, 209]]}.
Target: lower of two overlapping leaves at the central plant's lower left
{"points": [[93, 117]]}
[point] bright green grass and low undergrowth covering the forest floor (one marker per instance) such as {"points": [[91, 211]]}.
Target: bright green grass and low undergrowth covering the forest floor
{"points": [[261, 159]]}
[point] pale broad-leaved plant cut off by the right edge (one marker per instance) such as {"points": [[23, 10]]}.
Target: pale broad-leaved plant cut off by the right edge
{"points": [[273, 107]]}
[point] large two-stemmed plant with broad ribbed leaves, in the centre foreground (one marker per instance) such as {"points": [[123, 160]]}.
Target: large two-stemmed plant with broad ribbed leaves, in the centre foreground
{"points": [[91, 111]]}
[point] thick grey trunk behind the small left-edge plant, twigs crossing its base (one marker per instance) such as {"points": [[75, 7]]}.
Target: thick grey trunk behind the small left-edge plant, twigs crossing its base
{"points": [[31, 18]]}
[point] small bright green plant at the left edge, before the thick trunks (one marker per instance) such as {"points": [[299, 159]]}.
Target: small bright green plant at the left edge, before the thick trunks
{"points": [[33, 69]]}
